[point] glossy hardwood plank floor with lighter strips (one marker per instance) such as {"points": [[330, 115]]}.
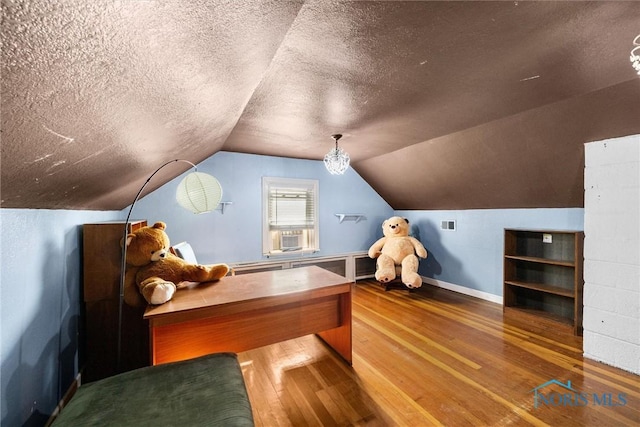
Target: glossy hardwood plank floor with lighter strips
{"points": [[434, 357]]}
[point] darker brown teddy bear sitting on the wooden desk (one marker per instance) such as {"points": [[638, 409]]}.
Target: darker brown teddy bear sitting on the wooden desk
{"points": [[153, 273]]}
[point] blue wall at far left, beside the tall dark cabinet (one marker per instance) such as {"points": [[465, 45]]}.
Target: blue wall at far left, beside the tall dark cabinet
{"points": [[40, 277]]}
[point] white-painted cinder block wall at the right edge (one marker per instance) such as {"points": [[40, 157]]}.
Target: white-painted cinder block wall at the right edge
{"points": [[612, 252]]}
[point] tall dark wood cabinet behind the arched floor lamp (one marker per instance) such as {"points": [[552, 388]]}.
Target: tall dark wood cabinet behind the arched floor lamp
{"points": [[101, 289]]}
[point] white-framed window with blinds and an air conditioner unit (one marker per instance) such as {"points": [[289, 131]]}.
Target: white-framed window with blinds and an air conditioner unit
{"points": [[290, 212]]}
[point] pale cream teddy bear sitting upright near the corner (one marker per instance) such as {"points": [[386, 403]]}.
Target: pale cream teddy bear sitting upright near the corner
{"points": [[398, 249]]}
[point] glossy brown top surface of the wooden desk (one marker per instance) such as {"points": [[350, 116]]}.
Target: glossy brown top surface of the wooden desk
{"points": [[290, 284]]}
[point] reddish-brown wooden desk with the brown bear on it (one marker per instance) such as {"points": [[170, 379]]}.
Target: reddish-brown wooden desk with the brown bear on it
{"points": [[252, 310]]}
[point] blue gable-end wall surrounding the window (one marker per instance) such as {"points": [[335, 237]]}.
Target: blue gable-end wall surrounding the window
{"points": [[236, 235]]}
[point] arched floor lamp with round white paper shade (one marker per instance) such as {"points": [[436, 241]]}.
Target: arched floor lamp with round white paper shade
{"points": [[198, 192]]}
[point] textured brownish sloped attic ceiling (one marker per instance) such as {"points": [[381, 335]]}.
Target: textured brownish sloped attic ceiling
{"points": [[443, 105]]}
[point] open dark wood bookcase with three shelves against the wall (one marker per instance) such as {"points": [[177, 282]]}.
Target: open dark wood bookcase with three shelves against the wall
{"points": [[543, 277]]}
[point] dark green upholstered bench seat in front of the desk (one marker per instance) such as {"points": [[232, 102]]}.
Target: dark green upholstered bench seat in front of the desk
{"points": [[205, 391]]}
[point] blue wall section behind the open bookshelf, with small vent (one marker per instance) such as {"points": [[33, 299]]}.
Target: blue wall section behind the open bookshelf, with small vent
{"points": [[471, 256]]}
